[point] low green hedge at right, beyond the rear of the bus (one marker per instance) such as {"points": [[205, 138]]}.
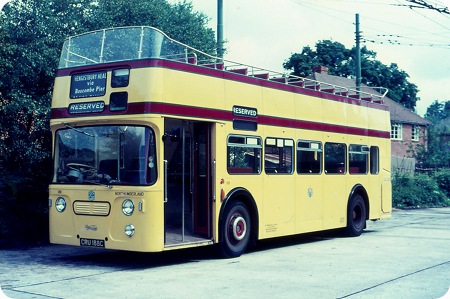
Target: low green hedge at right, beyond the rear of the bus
{"points": [[418, 191]]}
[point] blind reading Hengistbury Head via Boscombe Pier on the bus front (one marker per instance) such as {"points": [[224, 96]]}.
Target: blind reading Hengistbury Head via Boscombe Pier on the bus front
{"points": [[88, 85]]}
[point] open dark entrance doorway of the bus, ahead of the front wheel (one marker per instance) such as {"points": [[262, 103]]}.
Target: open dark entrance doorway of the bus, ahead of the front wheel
{"points": [[187, 159]]}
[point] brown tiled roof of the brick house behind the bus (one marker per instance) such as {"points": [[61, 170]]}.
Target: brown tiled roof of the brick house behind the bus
{"points": [[399, 113]]}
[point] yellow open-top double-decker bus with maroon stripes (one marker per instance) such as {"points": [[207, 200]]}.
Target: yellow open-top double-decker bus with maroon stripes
{"points": [[158, 146]]}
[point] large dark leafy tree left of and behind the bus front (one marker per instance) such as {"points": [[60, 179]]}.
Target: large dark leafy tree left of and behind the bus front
{"points": [[31, 36]]}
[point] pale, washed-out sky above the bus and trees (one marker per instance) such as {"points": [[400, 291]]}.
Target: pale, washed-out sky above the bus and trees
{"points": [[264, 33]]}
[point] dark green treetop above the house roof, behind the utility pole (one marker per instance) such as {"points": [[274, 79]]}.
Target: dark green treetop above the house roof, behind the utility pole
{"points": [[340, 62]]}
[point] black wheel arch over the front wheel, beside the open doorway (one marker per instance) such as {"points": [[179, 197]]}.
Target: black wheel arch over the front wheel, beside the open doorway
{"points": [[243, 195]]}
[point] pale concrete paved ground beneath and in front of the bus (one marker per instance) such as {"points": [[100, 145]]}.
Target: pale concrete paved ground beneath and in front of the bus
{"points": [[404, 257]]}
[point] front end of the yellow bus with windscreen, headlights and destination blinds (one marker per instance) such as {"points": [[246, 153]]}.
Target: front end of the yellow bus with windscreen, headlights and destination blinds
{"points": [[106, 189]]}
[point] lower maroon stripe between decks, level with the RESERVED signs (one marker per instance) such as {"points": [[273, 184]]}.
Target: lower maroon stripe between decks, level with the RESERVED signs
{"points": [[222, 115]]}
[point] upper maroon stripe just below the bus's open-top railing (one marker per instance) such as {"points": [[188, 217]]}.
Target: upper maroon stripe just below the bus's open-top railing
{"points": [[198, 69]]}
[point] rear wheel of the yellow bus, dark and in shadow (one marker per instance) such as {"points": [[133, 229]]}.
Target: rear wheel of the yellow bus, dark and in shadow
{"points": [[356, 216]]}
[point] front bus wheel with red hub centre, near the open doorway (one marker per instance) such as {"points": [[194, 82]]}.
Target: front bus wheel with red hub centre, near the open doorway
{"points": [[235, 230]]}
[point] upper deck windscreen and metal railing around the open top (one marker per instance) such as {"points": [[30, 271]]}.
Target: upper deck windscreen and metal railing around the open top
{"points": [[133, 43]]}
